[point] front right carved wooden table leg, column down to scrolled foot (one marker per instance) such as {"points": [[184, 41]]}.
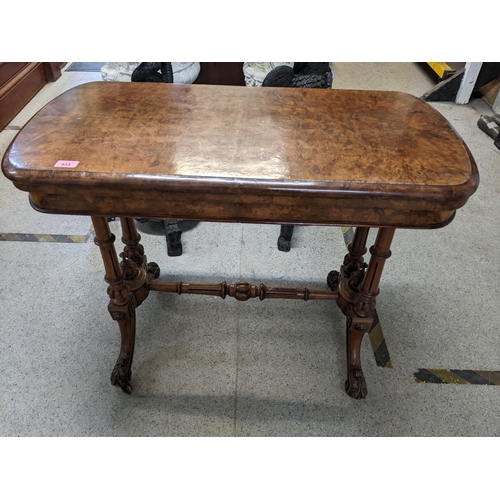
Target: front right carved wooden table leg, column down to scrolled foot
{"points": [[361, 311]]}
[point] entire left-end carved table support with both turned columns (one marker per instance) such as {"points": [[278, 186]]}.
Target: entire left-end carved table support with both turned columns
{"points": [[127, 289]]}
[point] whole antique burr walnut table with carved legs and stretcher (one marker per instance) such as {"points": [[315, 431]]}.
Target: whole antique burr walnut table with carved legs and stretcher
{"points": [[263, 155]]}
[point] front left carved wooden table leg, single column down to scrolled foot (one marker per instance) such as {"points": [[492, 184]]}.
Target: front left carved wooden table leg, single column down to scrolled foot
{"points": [[122, 303]]}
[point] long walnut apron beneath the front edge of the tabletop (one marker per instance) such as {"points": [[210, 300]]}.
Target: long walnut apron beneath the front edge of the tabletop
{"points": [[268, 208]]}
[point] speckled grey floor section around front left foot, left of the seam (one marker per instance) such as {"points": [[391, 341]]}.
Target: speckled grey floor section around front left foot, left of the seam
{"points": [[61, 344]]}
